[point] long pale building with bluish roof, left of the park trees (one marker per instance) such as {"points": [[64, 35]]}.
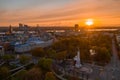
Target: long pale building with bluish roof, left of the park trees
{"points": [[32, 43]]}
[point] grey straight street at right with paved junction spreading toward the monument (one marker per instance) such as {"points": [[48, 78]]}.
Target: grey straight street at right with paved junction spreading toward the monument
{"points": [[110, 71]]}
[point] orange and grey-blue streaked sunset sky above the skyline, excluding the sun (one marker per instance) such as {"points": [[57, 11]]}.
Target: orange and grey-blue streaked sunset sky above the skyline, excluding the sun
{"points": [[59, 12]]}
